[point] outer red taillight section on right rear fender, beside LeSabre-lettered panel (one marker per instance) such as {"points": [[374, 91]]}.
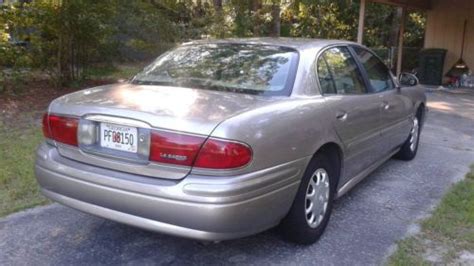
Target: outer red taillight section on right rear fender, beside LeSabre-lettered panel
{"points": [[222, 154]]}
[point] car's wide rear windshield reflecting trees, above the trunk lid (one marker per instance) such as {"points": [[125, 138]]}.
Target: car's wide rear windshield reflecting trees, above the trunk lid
{"points": [[242, 68]]}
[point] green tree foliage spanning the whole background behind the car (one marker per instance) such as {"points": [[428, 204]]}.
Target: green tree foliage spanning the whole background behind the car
{"points": [[65, 37]]}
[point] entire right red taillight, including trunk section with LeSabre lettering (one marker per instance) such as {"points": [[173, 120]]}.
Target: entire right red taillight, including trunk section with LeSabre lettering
{"points": [[188, 150]]}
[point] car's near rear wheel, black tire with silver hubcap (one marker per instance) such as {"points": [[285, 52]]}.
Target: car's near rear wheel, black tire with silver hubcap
{"points": [[309, 215]]}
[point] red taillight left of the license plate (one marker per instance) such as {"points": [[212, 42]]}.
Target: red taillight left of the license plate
{"points": [[60, 128]]}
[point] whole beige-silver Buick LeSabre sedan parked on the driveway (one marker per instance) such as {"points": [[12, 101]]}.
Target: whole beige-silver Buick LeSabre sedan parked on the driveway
{"points": [[223, 139]]}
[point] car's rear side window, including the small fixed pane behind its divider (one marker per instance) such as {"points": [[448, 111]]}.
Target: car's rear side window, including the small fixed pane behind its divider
{"points": [[338, 72]]}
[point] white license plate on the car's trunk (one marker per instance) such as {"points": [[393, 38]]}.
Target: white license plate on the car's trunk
{"points": [[118, 137]]}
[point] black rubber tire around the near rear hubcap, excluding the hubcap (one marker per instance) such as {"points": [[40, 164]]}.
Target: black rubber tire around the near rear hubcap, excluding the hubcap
{"points": [[295, 227]]}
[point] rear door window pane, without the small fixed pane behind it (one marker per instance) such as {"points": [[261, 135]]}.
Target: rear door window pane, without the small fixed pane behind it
{"points": [[345, 74]]}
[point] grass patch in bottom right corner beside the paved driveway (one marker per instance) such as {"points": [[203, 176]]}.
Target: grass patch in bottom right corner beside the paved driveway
{"points": [[447, 233]]}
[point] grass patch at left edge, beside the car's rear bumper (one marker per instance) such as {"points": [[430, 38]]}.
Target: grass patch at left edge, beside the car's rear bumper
{"points": [[18, 187]]}
